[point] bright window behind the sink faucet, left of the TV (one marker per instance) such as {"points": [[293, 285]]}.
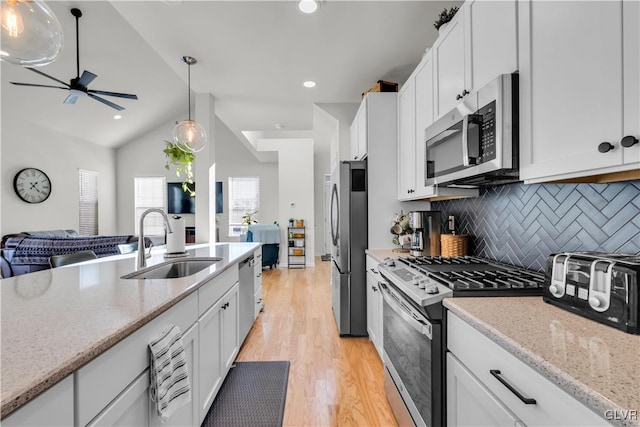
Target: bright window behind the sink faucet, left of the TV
{"points": [[150, 193]]}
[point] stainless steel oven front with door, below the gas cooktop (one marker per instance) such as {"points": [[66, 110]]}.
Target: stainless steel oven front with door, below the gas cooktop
{"points": [[413, 363]]}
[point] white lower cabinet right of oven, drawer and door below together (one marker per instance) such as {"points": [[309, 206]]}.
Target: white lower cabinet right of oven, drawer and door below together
{"points": [[487, 385]]}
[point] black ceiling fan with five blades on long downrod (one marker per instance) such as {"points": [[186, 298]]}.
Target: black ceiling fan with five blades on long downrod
{"points": [[78, 86]]}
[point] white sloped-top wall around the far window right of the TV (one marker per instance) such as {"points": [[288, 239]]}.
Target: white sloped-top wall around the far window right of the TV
{"points": [[233, 159]]}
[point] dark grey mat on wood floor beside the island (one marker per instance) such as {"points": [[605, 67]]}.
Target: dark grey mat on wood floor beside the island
{"points": [[253, 394]]}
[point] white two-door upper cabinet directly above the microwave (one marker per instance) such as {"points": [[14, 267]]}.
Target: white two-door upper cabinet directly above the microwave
{"points": [[479, 44]]}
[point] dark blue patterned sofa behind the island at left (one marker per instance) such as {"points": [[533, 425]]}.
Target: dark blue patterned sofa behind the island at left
{"points": [[27, 252]]}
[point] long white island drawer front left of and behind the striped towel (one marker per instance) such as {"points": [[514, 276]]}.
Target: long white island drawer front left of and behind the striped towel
{"points": [[99, 382]]}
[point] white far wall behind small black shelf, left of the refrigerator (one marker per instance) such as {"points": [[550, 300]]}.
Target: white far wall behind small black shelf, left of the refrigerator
{"points": [[295, 186]]}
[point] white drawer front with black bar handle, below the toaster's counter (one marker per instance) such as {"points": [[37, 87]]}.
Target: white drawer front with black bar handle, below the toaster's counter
{"points": [[480, 355]]}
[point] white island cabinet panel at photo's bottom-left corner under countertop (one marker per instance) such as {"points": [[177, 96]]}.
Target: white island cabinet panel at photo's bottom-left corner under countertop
{"points": [[54, 407]]}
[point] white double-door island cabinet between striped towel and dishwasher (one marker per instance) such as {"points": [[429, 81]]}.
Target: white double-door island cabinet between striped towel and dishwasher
{"points": [[218, 347]]}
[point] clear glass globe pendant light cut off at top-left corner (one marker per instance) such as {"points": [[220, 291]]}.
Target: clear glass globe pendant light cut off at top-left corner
{"points": [[31, 33]]}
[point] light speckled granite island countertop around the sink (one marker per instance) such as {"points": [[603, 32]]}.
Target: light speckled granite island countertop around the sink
{"points": [[55, 321]]}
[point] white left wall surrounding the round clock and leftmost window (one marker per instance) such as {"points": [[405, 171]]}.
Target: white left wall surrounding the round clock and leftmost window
{"points": [[25, 144]]}
